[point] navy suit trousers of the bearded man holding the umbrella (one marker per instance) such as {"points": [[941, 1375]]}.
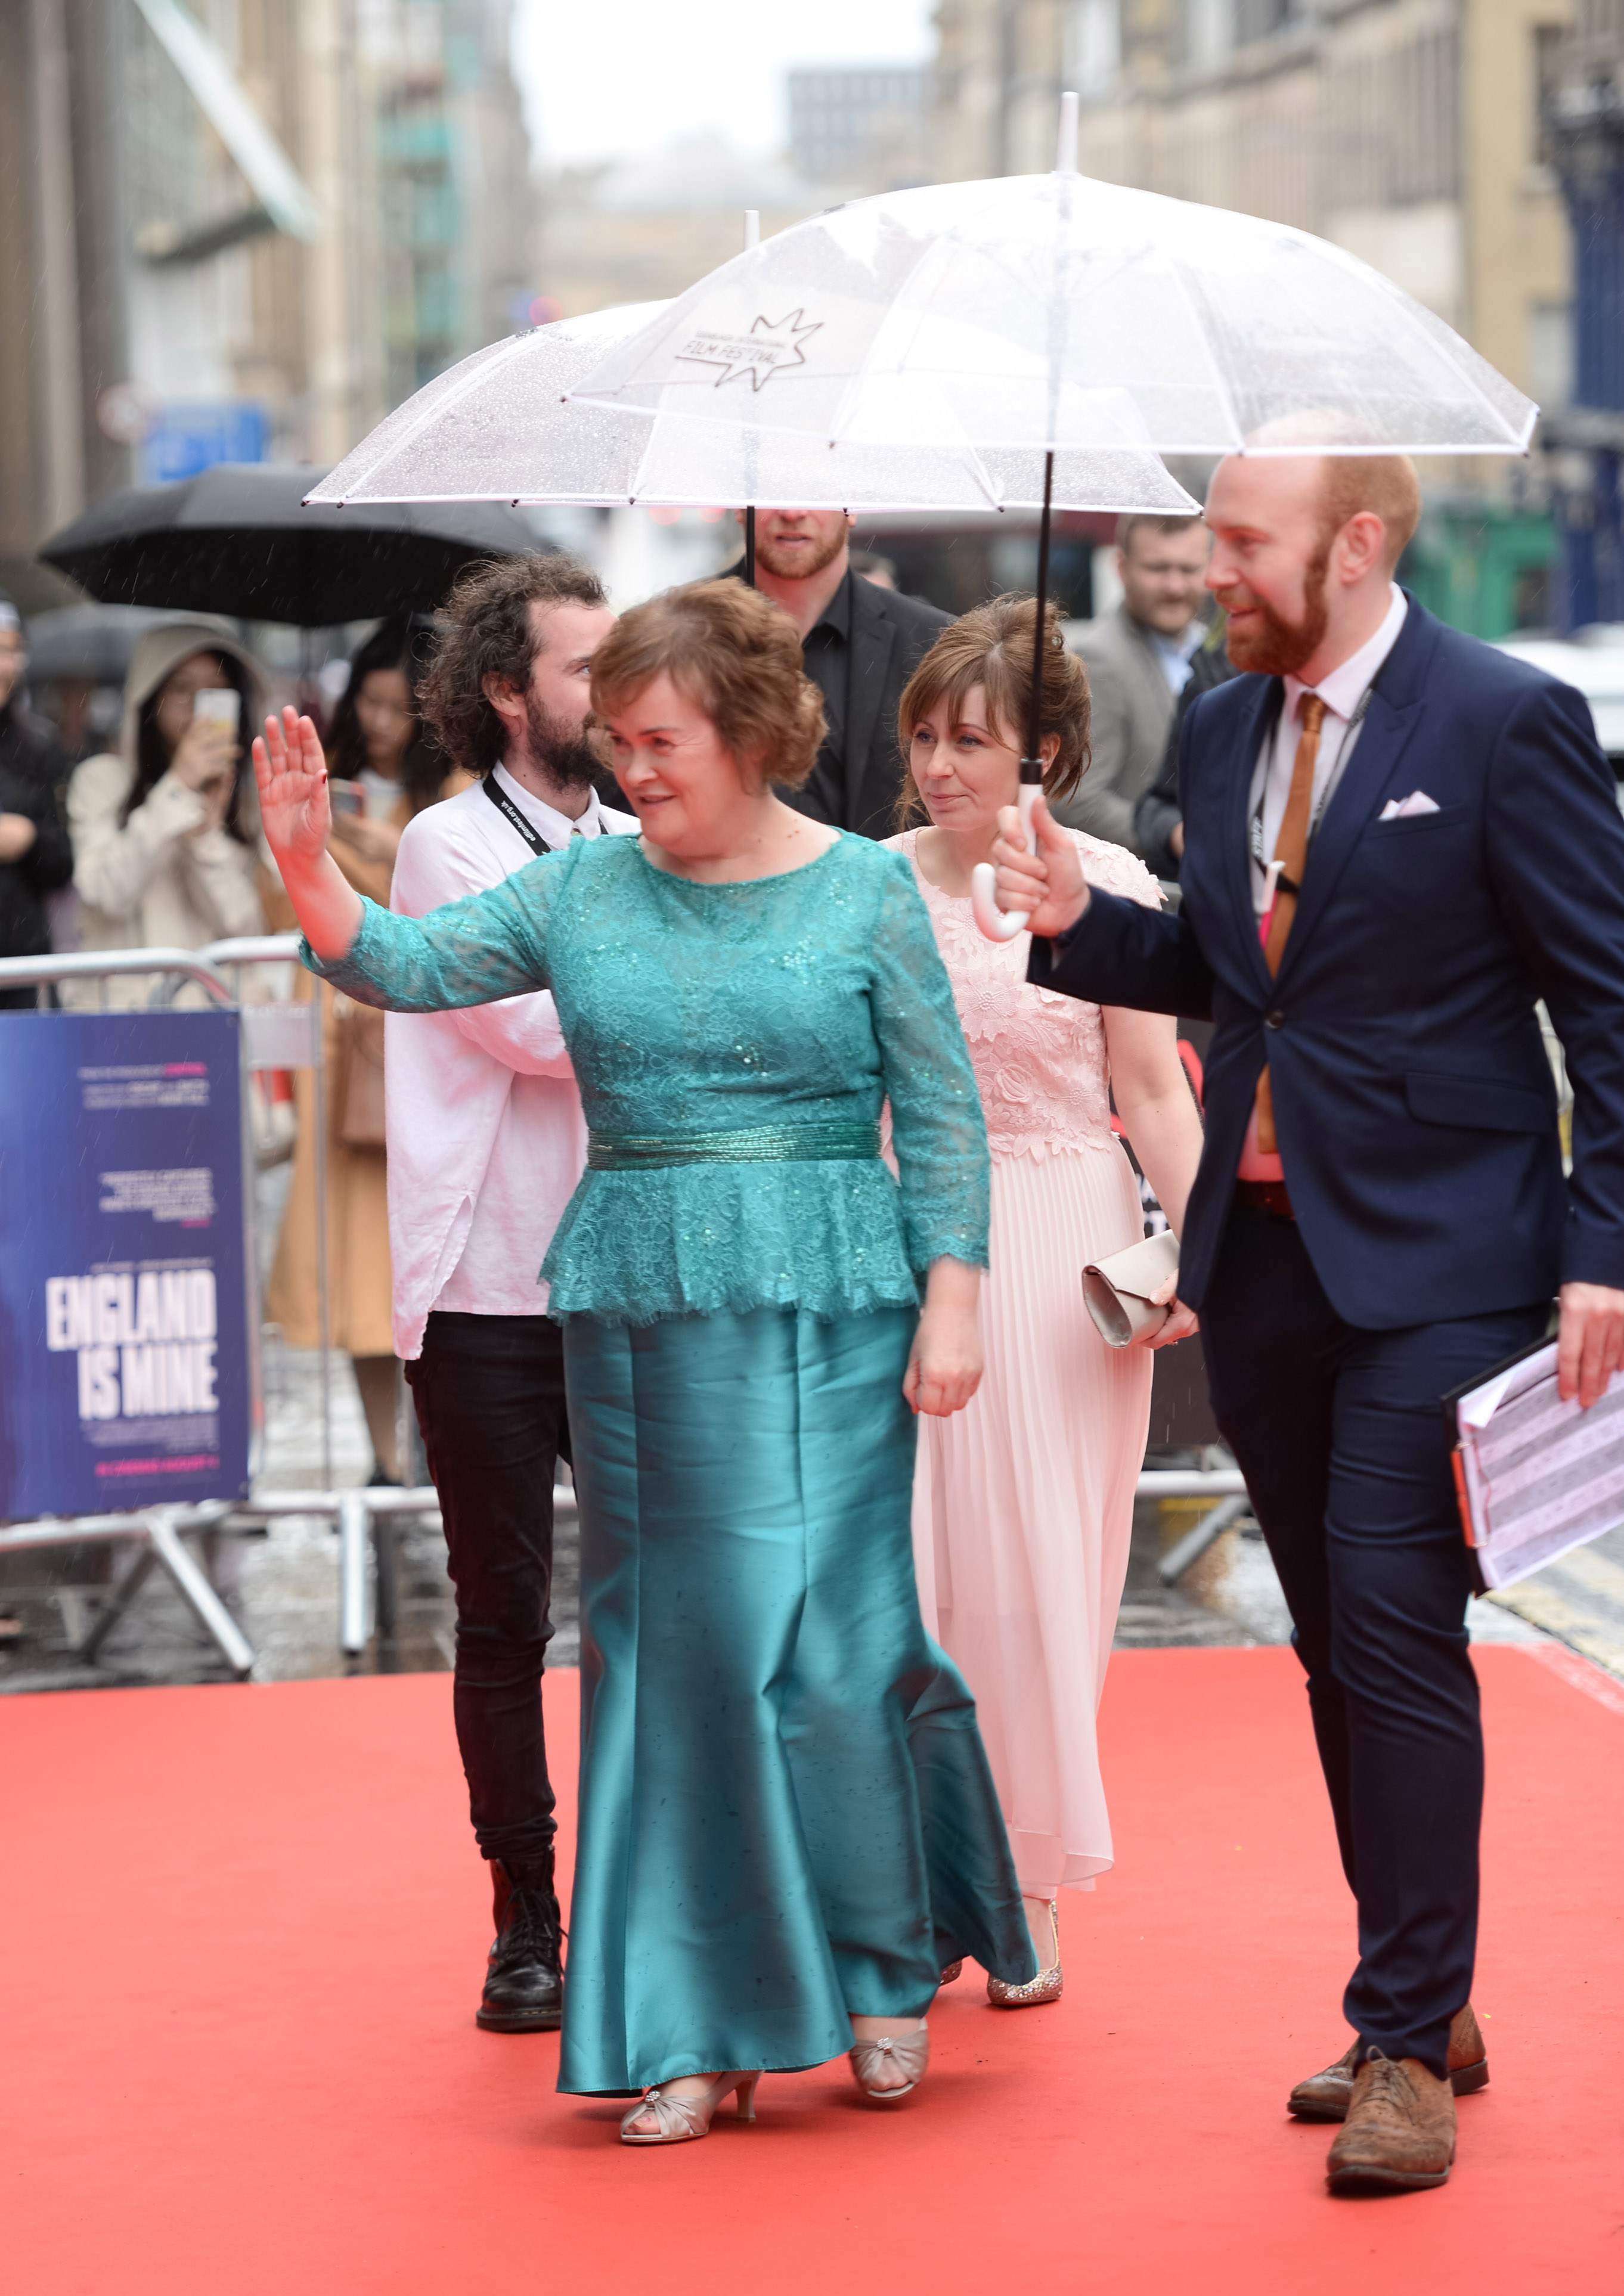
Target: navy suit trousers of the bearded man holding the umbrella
{"points": [[1343, 1443]]}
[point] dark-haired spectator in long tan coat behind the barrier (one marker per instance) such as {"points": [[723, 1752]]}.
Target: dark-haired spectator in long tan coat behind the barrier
{"points": [[385, 768]]}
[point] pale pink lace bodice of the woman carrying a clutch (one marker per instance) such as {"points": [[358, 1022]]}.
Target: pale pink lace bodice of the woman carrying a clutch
{"points": [[1039, 1057]]}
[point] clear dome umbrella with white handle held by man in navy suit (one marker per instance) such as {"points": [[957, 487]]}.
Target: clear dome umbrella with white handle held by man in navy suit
{"points": [[1053, 316]]}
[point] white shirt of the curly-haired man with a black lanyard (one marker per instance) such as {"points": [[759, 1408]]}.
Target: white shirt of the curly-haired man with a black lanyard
{"points": [[486, 1131]]}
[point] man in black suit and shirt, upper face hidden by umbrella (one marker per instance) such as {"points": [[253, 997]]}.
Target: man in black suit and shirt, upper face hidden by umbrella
{"points": [[860, 644]]}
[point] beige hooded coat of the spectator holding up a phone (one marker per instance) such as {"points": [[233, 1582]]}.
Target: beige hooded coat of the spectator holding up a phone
{"points": [[150, 883]]}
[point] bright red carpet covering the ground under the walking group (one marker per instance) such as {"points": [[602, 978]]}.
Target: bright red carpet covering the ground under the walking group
{"points": [[240, 1944]]}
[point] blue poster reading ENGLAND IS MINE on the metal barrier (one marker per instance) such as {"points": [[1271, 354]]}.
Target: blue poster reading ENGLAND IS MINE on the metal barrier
{"points": [[123, 1269]]}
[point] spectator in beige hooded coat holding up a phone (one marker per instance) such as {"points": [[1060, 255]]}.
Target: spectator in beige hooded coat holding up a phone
{"points": [[167, 828]]}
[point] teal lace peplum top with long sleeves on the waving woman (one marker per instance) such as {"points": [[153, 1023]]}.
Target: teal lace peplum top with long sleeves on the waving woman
{"points": [[787, 1009]]}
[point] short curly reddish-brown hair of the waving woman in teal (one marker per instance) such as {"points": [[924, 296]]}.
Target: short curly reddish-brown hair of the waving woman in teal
{"points": [[734, 656]]}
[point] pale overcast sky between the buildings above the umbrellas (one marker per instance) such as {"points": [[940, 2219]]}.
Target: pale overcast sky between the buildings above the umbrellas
{"points": [[605, 79]]}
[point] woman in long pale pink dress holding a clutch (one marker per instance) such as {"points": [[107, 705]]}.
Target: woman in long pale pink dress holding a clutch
{"points": [[1023, 1503]]}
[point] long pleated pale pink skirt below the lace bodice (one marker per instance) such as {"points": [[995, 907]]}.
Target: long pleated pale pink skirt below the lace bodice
{"points": [[1023, 1507]]}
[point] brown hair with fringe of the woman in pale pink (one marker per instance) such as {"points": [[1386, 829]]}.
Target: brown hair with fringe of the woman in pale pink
{"points": [[993, 649]]}
